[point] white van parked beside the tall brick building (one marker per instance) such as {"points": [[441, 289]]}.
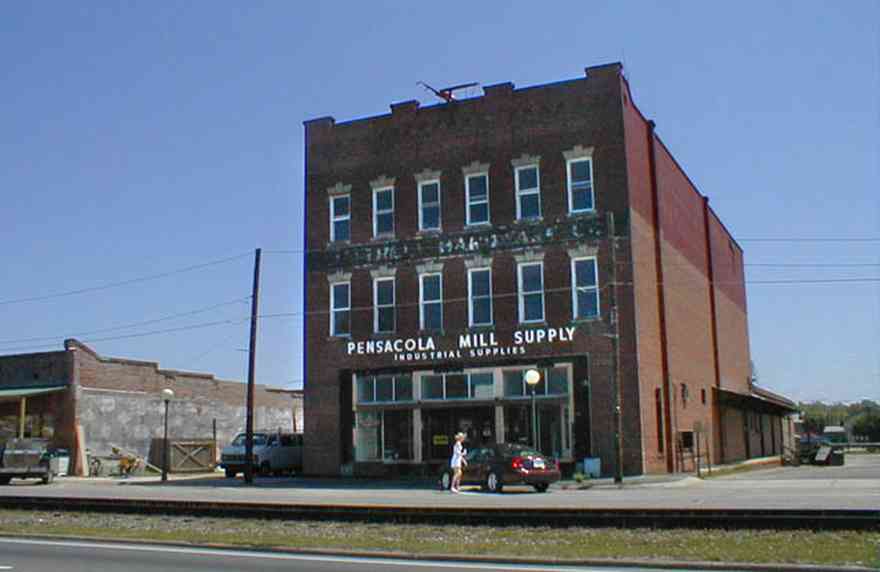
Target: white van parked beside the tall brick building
{"points": [[274, 453]]}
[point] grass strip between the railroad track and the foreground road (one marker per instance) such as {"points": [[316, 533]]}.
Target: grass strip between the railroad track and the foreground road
{"points": [[574, 543]]}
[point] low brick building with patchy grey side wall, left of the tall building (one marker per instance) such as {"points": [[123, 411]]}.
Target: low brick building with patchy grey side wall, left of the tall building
{"points": [[85, 401]]}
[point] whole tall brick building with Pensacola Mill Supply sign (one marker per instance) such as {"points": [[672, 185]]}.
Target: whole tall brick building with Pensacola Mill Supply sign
{"points": [[451, 248]]}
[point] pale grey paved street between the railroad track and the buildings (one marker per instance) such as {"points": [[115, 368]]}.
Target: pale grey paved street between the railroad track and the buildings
{"points": [[853, 486]]}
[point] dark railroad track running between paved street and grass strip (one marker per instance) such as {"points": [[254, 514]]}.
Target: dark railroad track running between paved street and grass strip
{"points": [[850, 519]]}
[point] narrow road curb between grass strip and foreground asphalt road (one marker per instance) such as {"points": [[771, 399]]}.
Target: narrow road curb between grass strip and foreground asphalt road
{"points": [[595, 562]]}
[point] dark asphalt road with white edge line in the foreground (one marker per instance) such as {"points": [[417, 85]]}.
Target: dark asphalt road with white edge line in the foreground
{"points": [[22, 555]]}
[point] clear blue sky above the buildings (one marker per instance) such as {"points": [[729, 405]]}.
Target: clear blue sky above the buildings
{"points": [[138, 139]]}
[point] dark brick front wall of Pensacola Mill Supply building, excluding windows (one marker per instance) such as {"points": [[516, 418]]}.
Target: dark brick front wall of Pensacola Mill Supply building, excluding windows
{"points": [[494, 129]]}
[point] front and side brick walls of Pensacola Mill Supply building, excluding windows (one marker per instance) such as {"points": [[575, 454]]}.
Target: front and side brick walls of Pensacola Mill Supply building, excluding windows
{"points": [[680, 336]]}
